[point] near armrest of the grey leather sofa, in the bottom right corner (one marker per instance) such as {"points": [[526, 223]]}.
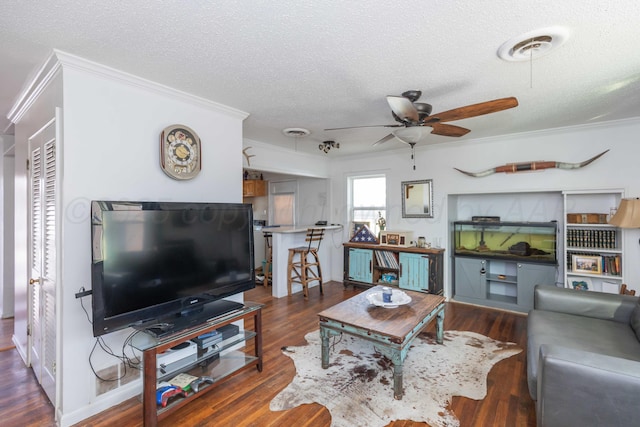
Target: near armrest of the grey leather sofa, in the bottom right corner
{"points": [[579, 388]]}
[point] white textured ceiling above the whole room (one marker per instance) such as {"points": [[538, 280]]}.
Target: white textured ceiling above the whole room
{"points": [[326, 64]]}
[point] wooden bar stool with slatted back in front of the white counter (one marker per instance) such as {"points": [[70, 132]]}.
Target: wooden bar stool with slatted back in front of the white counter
{"points": [[304, 262]]}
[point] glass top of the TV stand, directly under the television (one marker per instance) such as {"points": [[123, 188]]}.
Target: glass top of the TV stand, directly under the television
{"points": [[144, 341]]}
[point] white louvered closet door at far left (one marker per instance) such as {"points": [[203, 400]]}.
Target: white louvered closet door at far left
{"points": [[42, 282]]}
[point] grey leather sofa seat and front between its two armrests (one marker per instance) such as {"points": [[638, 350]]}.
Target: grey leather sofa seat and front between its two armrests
{"points": [[577, 332]]}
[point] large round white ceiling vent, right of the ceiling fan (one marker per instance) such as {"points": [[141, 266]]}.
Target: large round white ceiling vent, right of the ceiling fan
{"points": [[533, 44]]}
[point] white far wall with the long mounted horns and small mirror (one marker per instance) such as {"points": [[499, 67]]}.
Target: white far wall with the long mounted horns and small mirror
{"points": [[616, 169]]}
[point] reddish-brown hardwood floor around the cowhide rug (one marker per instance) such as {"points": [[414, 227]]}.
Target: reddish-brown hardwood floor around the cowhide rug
{"points": [[243, 400]]}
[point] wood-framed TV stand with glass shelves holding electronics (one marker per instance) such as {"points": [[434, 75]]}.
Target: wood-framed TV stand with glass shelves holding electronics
{"points": [[228, 364]]}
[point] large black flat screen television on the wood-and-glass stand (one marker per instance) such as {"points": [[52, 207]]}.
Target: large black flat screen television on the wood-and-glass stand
{"points": [[168, 264]]}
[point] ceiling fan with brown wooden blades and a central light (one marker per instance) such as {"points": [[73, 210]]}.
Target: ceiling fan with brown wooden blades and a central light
{"points": [[412, 114]]}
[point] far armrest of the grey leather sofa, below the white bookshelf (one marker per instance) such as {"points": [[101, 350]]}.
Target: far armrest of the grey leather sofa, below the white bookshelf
{"points": [[584, 303]]}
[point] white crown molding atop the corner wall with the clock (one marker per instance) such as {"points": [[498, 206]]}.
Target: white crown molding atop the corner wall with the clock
{"points": [[61, 60]]}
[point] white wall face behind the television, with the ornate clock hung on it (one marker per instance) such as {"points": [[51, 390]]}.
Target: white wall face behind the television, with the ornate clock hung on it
{"points": [[111, 151]]}
